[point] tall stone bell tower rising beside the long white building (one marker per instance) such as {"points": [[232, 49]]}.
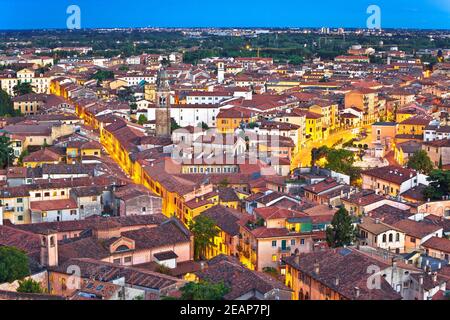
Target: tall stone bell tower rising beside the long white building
{"points": [[162, 112]]}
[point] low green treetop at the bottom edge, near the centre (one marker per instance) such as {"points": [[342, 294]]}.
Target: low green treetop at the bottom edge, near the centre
{"points": [[204, 290]]}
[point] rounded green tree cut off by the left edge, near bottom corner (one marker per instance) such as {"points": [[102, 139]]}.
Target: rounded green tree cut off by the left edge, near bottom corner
{"points": [[14, 264]]}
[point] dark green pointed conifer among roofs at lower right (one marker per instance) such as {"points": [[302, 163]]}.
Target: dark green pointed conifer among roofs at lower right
{"points": [[341, 232]]}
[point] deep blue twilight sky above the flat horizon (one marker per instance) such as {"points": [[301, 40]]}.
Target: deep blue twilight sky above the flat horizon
{"points": [[38, 14]]}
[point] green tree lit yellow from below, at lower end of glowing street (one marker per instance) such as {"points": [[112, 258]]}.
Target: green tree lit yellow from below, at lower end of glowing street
{"points": [[204, 230]]}
